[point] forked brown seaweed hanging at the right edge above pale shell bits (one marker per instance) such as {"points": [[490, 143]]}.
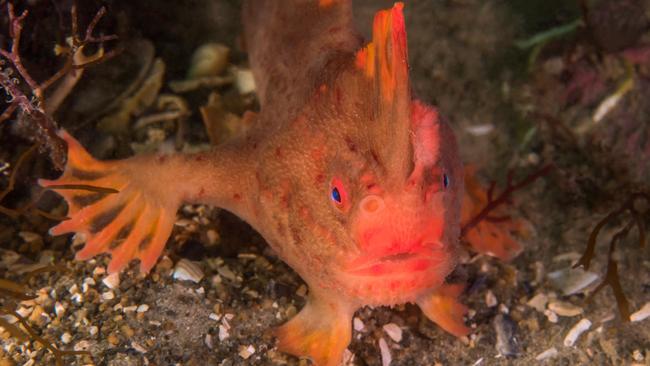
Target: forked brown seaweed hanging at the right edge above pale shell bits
{"points": [[635, 206]]}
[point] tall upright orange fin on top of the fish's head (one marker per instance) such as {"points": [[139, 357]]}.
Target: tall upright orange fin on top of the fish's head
{"points": [[384, 63]]}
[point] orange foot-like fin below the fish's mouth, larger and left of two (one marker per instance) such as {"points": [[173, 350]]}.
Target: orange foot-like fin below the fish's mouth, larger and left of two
{"points": [[321, 332]]}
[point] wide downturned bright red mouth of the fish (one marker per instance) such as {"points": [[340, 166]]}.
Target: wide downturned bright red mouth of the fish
{"points": [[397, 263]]}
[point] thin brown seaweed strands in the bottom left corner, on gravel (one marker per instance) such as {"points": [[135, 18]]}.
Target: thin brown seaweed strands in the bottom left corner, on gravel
{"points": [[10, 294]]}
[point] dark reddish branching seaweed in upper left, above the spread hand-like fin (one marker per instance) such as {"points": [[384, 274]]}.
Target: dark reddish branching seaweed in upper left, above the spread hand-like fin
{"points": [[35, 120]]}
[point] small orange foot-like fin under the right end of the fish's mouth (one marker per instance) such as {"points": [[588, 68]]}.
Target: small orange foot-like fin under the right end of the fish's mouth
{"points": [[443, 308]]}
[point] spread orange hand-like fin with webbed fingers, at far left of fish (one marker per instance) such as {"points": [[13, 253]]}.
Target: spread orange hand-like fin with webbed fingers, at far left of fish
{"points": [[117, 214]]}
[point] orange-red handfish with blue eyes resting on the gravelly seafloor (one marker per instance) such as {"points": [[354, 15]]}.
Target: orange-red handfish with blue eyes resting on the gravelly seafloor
{"points": [[352, 181]]}
